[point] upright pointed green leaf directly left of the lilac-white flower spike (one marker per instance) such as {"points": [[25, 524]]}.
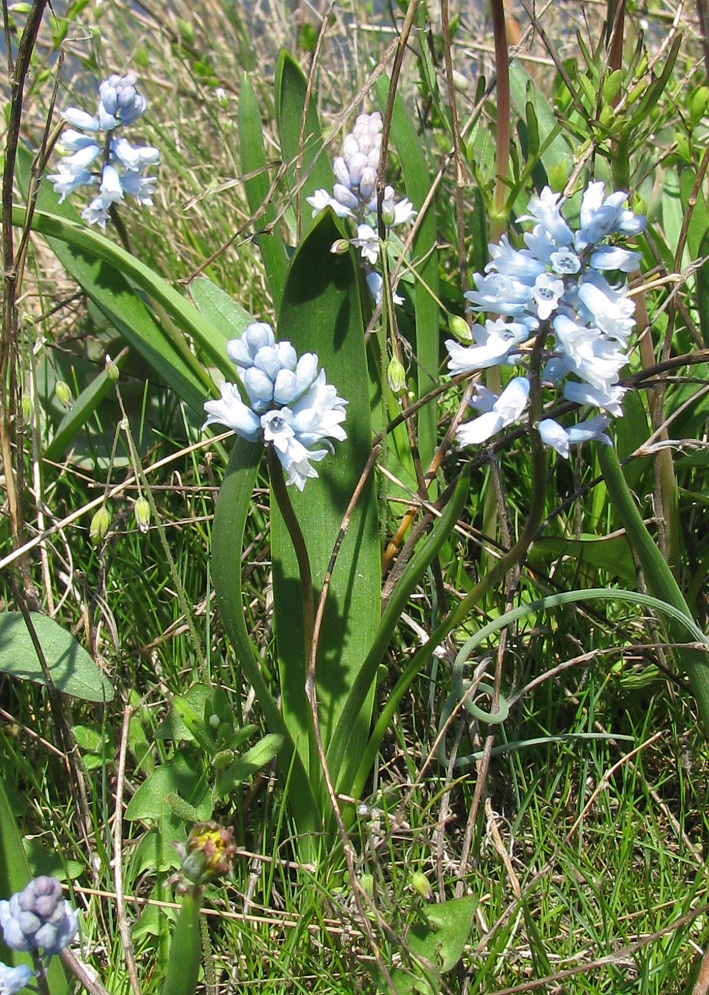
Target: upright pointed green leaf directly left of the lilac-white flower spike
{"points": [[308, 160]]}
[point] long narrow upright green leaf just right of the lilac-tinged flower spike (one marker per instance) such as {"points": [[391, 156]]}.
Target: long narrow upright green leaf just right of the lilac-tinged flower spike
{"points": [[417, 181]]}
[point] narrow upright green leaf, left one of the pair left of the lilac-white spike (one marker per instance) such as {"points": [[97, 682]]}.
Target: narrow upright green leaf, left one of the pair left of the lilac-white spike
{"points": [[257, 182]]}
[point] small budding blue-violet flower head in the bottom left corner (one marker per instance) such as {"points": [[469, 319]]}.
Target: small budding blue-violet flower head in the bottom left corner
{"points": [[38, 919]]}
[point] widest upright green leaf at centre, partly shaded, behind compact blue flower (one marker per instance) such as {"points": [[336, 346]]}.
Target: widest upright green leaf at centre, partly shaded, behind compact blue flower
{"points": [[322, 313]]}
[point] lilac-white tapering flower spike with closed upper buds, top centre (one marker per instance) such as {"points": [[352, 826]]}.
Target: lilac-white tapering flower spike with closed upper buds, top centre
{"points": [[354, 194]]}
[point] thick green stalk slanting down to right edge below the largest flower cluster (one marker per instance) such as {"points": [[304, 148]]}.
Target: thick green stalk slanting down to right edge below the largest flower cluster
{"points": [[658, 576]]}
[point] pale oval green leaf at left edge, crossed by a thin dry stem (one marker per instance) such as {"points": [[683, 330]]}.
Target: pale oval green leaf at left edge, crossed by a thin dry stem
{"points": [[71, 668]]}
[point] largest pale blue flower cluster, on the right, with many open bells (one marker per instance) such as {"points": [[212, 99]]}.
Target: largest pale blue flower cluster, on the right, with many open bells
{"points": [[569, 287]]}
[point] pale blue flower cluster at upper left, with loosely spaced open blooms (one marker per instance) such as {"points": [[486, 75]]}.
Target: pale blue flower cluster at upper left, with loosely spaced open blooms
{"points": [[106, 160]]}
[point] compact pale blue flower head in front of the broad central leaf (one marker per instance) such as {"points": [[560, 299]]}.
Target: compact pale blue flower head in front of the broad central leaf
{"points": [[290, 406]]}
